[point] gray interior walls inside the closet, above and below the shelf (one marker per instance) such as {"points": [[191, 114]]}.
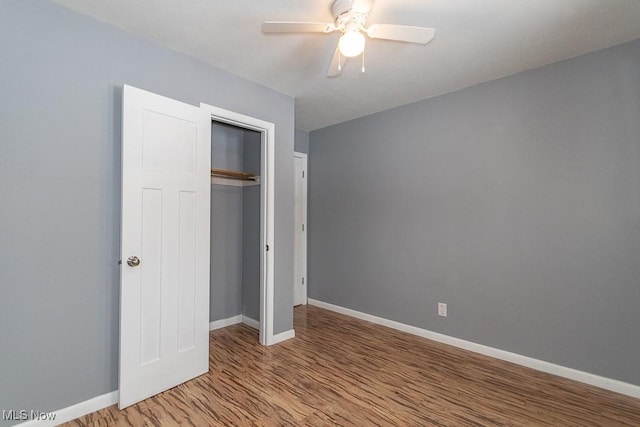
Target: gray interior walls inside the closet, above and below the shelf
{"points": [[235, 225]]}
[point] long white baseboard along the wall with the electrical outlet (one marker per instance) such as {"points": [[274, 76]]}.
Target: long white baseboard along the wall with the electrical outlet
{"points": [[540, 365]]}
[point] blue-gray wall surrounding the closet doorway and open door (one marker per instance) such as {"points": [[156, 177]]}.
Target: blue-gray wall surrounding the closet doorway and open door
{"points": [[60, 108]]}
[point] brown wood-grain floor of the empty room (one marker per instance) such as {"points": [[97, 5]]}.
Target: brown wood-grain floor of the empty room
{"points": [[342, 371]]}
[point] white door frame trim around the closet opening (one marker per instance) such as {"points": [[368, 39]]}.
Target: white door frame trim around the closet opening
{"points": [[267, 130]]}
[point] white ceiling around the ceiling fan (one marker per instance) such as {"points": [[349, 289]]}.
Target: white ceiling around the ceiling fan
{"points": [[475, 41]]}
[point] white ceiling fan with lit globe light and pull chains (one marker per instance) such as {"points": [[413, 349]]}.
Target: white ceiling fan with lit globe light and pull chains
{"points": [[350, 19]]}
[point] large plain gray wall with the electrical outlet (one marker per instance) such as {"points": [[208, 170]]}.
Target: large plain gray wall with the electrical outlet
{"points": [[516, 202]]}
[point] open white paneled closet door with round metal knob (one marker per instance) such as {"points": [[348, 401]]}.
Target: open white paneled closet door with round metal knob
{"points": [[164, 296]]}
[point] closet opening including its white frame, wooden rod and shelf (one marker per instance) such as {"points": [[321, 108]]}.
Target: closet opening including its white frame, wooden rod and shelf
{"points": [[241, 260]]}
